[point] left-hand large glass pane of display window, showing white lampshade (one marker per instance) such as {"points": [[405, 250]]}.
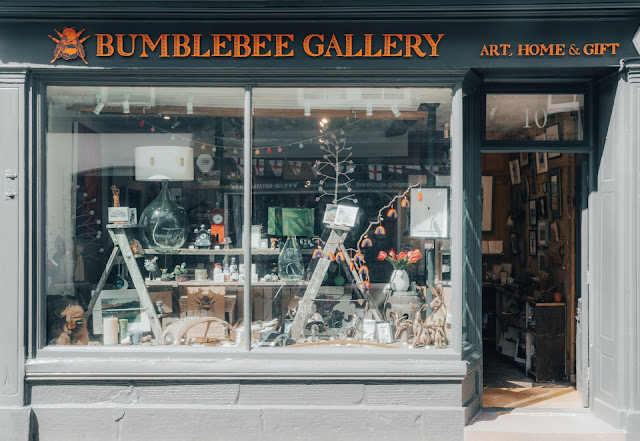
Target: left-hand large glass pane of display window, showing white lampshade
{"points": [[153, 169]]}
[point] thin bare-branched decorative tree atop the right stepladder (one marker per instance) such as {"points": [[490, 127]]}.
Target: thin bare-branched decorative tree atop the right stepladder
{"points": [[331, 167]]}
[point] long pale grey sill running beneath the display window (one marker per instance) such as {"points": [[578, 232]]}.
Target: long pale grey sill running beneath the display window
{"points": [[154, 363]]}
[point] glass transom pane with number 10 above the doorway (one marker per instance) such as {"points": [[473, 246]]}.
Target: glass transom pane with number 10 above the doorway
{"points": [[535, 117]]}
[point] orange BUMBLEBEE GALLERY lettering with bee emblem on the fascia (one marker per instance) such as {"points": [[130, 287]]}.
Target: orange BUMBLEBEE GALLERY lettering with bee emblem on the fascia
{"points": [[251, 45]]}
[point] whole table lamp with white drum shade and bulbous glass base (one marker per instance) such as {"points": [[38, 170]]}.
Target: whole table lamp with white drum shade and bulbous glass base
{"points": [[163, 223]]}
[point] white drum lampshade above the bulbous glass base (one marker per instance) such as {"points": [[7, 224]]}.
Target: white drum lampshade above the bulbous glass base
{"points": [[164, 163]]}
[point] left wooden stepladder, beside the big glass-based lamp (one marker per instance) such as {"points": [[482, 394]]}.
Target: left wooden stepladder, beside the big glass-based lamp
{"points": [[120, 236]]}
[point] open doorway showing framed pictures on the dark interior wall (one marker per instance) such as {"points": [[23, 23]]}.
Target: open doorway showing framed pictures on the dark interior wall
{"points": [[530, 271]]}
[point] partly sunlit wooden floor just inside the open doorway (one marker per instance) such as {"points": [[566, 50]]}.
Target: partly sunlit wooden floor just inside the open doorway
{"points": [[507, 386]]}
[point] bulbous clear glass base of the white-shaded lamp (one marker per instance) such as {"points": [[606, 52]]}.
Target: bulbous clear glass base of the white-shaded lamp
{"points": [[164, 224]]}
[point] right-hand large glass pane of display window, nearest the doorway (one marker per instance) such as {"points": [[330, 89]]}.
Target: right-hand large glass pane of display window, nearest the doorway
{"points": [[342, 176]]}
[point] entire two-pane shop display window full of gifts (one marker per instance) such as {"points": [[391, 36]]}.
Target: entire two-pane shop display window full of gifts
{"points": [[144, 202]]}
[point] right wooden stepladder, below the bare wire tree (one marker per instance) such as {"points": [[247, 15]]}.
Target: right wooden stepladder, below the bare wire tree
{"points": [[334, 242]]}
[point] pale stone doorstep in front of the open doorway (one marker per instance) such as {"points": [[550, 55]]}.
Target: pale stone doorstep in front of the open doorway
{"points": [[539, 425]]}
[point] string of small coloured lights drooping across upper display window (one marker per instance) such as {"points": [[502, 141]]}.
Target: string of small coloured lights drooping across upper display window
{"points": [[268, 149]]}
